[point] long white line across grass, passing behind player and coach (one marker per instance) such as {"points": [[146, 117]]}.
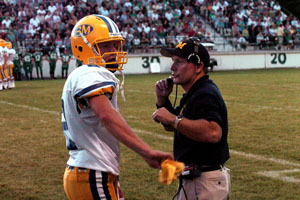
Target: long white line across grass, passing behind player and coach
{"points": [[238, 153]]}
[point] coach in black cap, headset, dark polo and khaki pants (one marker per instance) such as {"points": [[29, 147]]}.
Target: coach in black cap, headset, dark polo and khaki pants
{"points": [[199, 123]]}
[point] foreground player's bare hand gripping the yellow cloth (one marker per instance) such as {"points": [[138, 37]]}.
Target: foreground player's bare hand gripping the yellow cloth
{"points": [[155, 158]]}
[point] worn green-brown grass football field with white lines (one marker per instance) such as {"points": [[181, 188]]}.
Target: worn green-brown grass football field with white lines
{"points": [[264, 137]]}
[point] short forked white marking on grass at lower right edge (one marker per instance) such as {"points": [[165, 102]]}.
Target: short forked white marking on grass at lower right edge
{"points": [[280, 175]]}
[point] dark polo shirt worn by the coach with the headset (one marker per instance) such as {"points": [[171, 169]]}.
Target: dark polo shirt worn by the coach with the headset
{"points": [[203, 101]]}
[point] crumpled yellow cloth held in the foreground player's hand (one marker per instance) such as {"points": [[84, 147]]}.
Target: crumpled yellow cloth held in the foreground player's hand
{"points": [[169, 171]]}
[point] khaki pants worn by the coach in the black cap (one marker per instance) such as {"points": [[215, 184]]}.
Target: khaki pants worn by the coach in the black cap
{"points": [[212, 185]]}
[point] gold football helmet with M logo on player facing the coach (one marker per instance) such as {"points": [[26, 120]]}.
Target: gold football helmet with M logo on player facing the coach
{"points": [[91, 31]]}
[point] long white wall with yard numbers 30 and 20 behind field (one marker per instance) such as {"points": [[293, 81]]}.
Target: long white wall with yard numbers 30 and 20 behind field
{"points": [[155, 63]]}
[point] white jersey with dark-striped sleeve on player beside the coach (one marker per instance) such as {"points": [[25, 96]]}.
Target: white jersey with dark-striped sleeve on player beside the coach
{"points": [[90, 144]]}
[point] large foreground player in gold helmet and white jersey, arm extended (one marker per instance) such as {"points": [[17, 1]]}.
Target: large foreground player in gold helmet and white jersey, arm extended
{"points": [[91, 122]]}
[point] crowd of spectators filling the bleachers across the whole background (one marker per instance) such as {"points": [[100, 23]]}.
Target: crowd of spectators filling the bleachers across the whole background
{"points": [[31, 24]]}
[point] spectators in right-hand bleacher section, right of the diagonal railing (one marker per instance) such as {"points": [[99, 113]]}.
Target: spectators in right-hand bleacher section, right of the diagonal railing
{"points": [[261, 23]]}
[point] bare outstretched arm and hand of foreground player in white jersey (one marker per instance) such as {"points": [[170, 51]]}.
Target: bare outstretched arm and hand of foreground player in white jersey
{"points": [[117, 126]]}
